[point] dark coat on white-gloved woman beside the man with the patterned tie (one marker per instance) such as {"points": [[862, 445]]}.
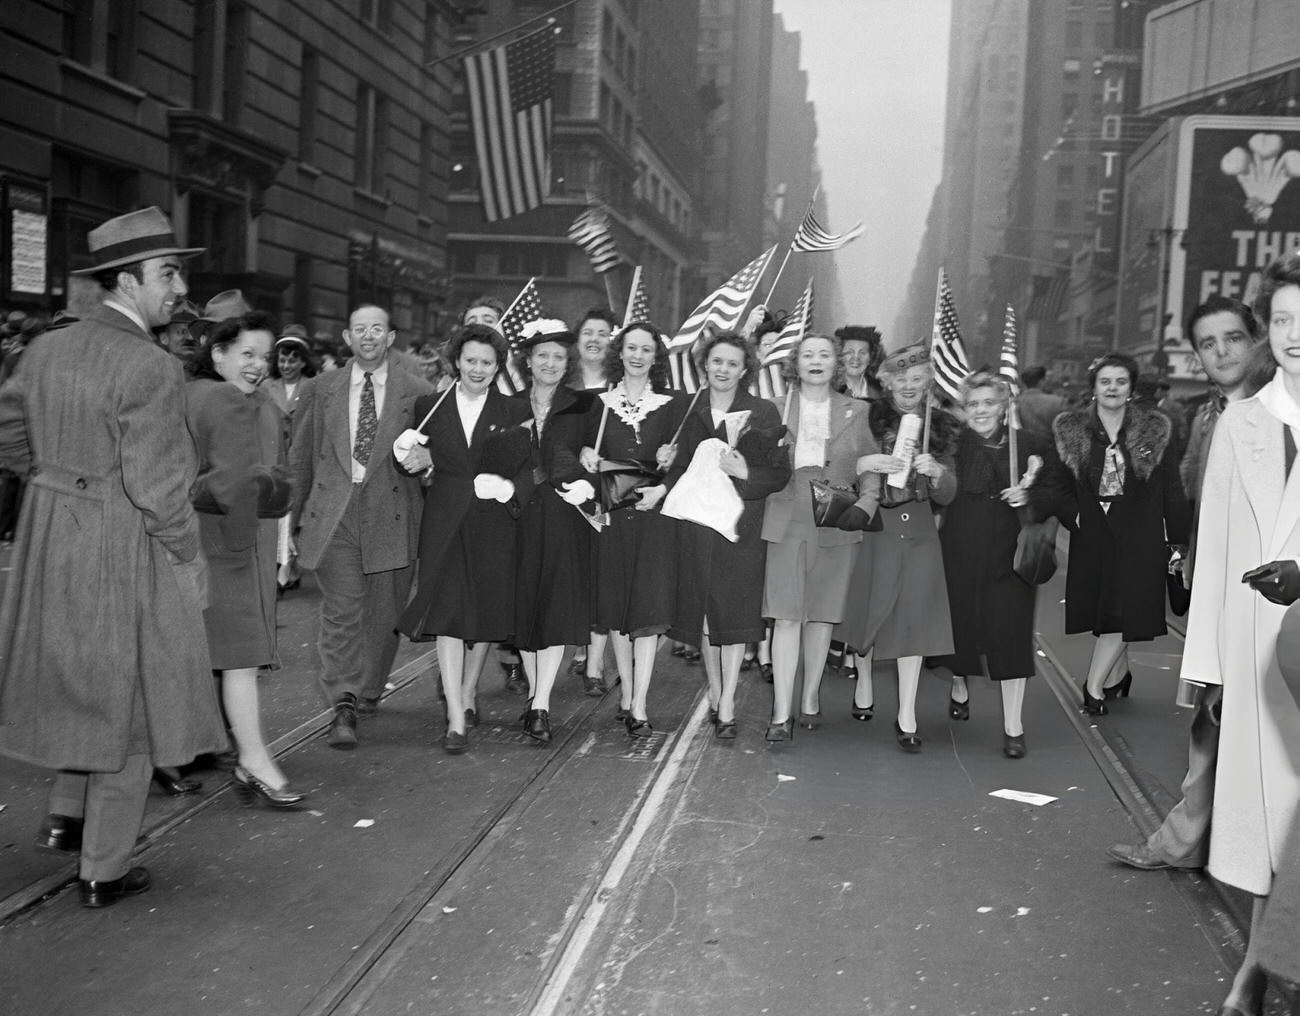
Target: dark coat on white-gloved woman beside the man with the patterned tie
{"points": [[467, 545]]}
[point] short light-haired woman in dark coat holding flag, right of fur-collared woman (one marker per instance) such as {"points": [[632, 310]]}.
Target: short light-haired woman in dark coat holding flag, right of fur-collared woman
{"points": [[993, 607]]}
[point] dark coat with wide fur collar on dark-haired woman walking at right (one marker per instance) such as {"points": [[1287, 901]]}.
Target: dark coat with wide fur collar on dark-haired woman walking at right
{"points": [[1119, 561]]}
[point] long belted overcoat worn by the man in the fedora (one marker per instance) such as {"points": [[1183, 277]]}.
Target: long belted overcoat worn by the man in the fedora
{"points": [[102, 615]]}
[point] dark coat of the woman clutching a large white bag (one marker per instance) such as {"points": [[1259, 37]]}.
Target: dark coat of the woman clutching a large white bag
{"points": [[717, 579]]}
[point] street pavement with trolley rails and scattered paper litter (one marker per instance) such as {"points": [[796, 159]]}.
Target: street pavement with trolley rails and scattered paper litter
{"points": [[834, 875]]}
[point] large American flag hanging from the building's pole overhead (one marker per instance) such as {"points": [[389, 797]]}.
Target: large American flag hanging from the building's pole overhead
{"points": [[512, 99]]}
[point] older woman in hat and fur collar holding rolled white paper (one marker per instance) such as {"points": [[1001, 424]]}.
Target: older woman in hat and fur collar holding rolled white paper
{"points": [[898, 593]]}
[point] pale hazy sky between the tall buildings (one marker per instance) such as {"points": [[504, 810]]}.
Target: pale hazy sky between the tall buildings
{"points": [[878, 71]]}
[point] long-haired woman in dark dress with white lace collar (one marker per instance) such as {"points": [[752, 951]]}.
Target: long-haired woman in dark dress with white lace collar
{"points": [[636, 553]]}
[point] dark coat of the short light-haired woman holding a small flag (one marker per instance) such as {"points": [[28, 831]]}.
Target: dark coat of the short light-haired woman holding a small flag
{"points": [[991, 607]]}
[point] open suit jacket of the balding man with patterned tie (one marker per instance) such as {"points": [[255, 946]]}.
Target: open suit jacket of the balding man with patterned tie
{"points": [[320, 462]]}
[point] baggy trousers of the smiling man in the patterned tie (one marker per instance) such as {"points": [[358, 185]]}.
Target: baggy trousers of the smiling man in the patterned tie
{"points": [[359, 614]]}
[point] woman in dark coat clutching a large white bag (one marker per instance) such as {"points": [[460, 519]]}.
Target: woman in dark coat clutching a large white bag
{"points": [[721, 580]]}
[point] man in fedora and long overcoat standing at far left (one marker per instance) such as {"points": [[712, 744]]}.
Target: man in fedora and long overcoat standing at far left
{"points": [[105, 670]]}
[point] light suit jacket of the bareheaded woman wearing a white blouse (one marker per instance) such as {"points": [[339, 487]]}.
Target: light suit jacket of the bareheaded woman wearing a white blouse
{"points": [[851, 438]]}
